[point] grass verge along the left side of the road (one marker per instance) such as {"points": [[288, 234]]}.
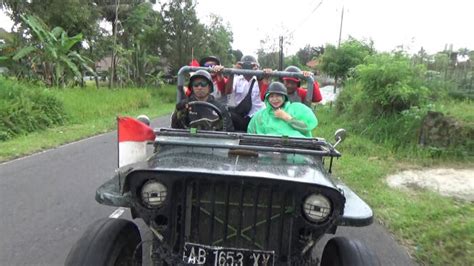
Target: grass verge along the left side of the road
{"points": [[90, 112]]}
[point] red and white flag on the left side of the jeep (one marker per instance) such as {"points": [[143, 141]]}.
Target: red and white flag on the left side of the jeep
{"points": [[133, 136]]}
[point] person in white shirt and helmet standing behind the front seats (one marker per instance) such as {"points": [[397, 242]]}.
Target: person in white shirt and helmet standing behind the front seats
{"points": [[243, 94]]}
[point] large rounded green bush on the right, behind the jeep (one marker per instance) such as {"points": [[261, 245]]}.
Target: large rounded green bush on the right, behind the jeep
{"points": [[386, 99]]}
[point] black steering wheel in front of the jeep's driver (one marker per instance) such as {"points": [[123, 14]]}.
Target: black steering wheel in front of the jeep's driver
{"points": [[195, 116]]}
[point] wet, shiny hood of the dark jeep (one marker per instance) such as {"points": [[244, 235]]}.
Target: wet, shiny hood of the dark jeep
{"points": [[290, 167]]}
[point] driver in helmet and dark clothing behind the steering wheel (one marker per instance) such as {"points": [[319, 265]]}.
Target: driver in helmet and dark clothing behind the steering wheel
{"points": [[185, 116]]}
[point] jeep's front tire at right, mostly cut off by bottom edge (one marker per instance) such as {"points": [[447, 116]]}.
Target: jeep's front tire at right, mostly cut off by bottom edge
{"points": [[341, 251]]}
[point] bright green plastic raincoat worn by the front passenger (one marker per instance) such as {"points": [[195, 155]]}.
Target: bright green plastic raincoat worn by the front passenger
{"points": [[264, 121]]}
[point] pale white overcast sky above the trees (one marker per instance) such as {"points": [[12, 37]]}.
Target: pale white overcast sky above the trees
{"points": [[389, 23]]}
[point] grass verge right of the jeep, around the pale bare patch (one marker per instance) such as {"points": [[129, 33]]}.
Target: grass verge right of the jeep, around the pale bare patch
{"points": [[436, 230]]}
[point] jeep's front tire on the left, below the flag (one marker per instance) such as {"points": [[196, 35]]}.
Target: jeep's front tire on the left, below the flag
{"points": [[107, 242]]}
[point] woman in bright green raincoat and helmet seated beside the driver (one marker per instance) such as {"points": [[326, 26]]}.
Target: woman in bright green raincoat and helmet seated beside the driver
{"points": [[281, 117]]}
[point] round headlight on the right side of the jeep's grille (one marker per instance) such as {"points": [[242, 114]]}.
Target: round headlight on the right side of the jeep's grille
{"points": [[320, 215]]}
